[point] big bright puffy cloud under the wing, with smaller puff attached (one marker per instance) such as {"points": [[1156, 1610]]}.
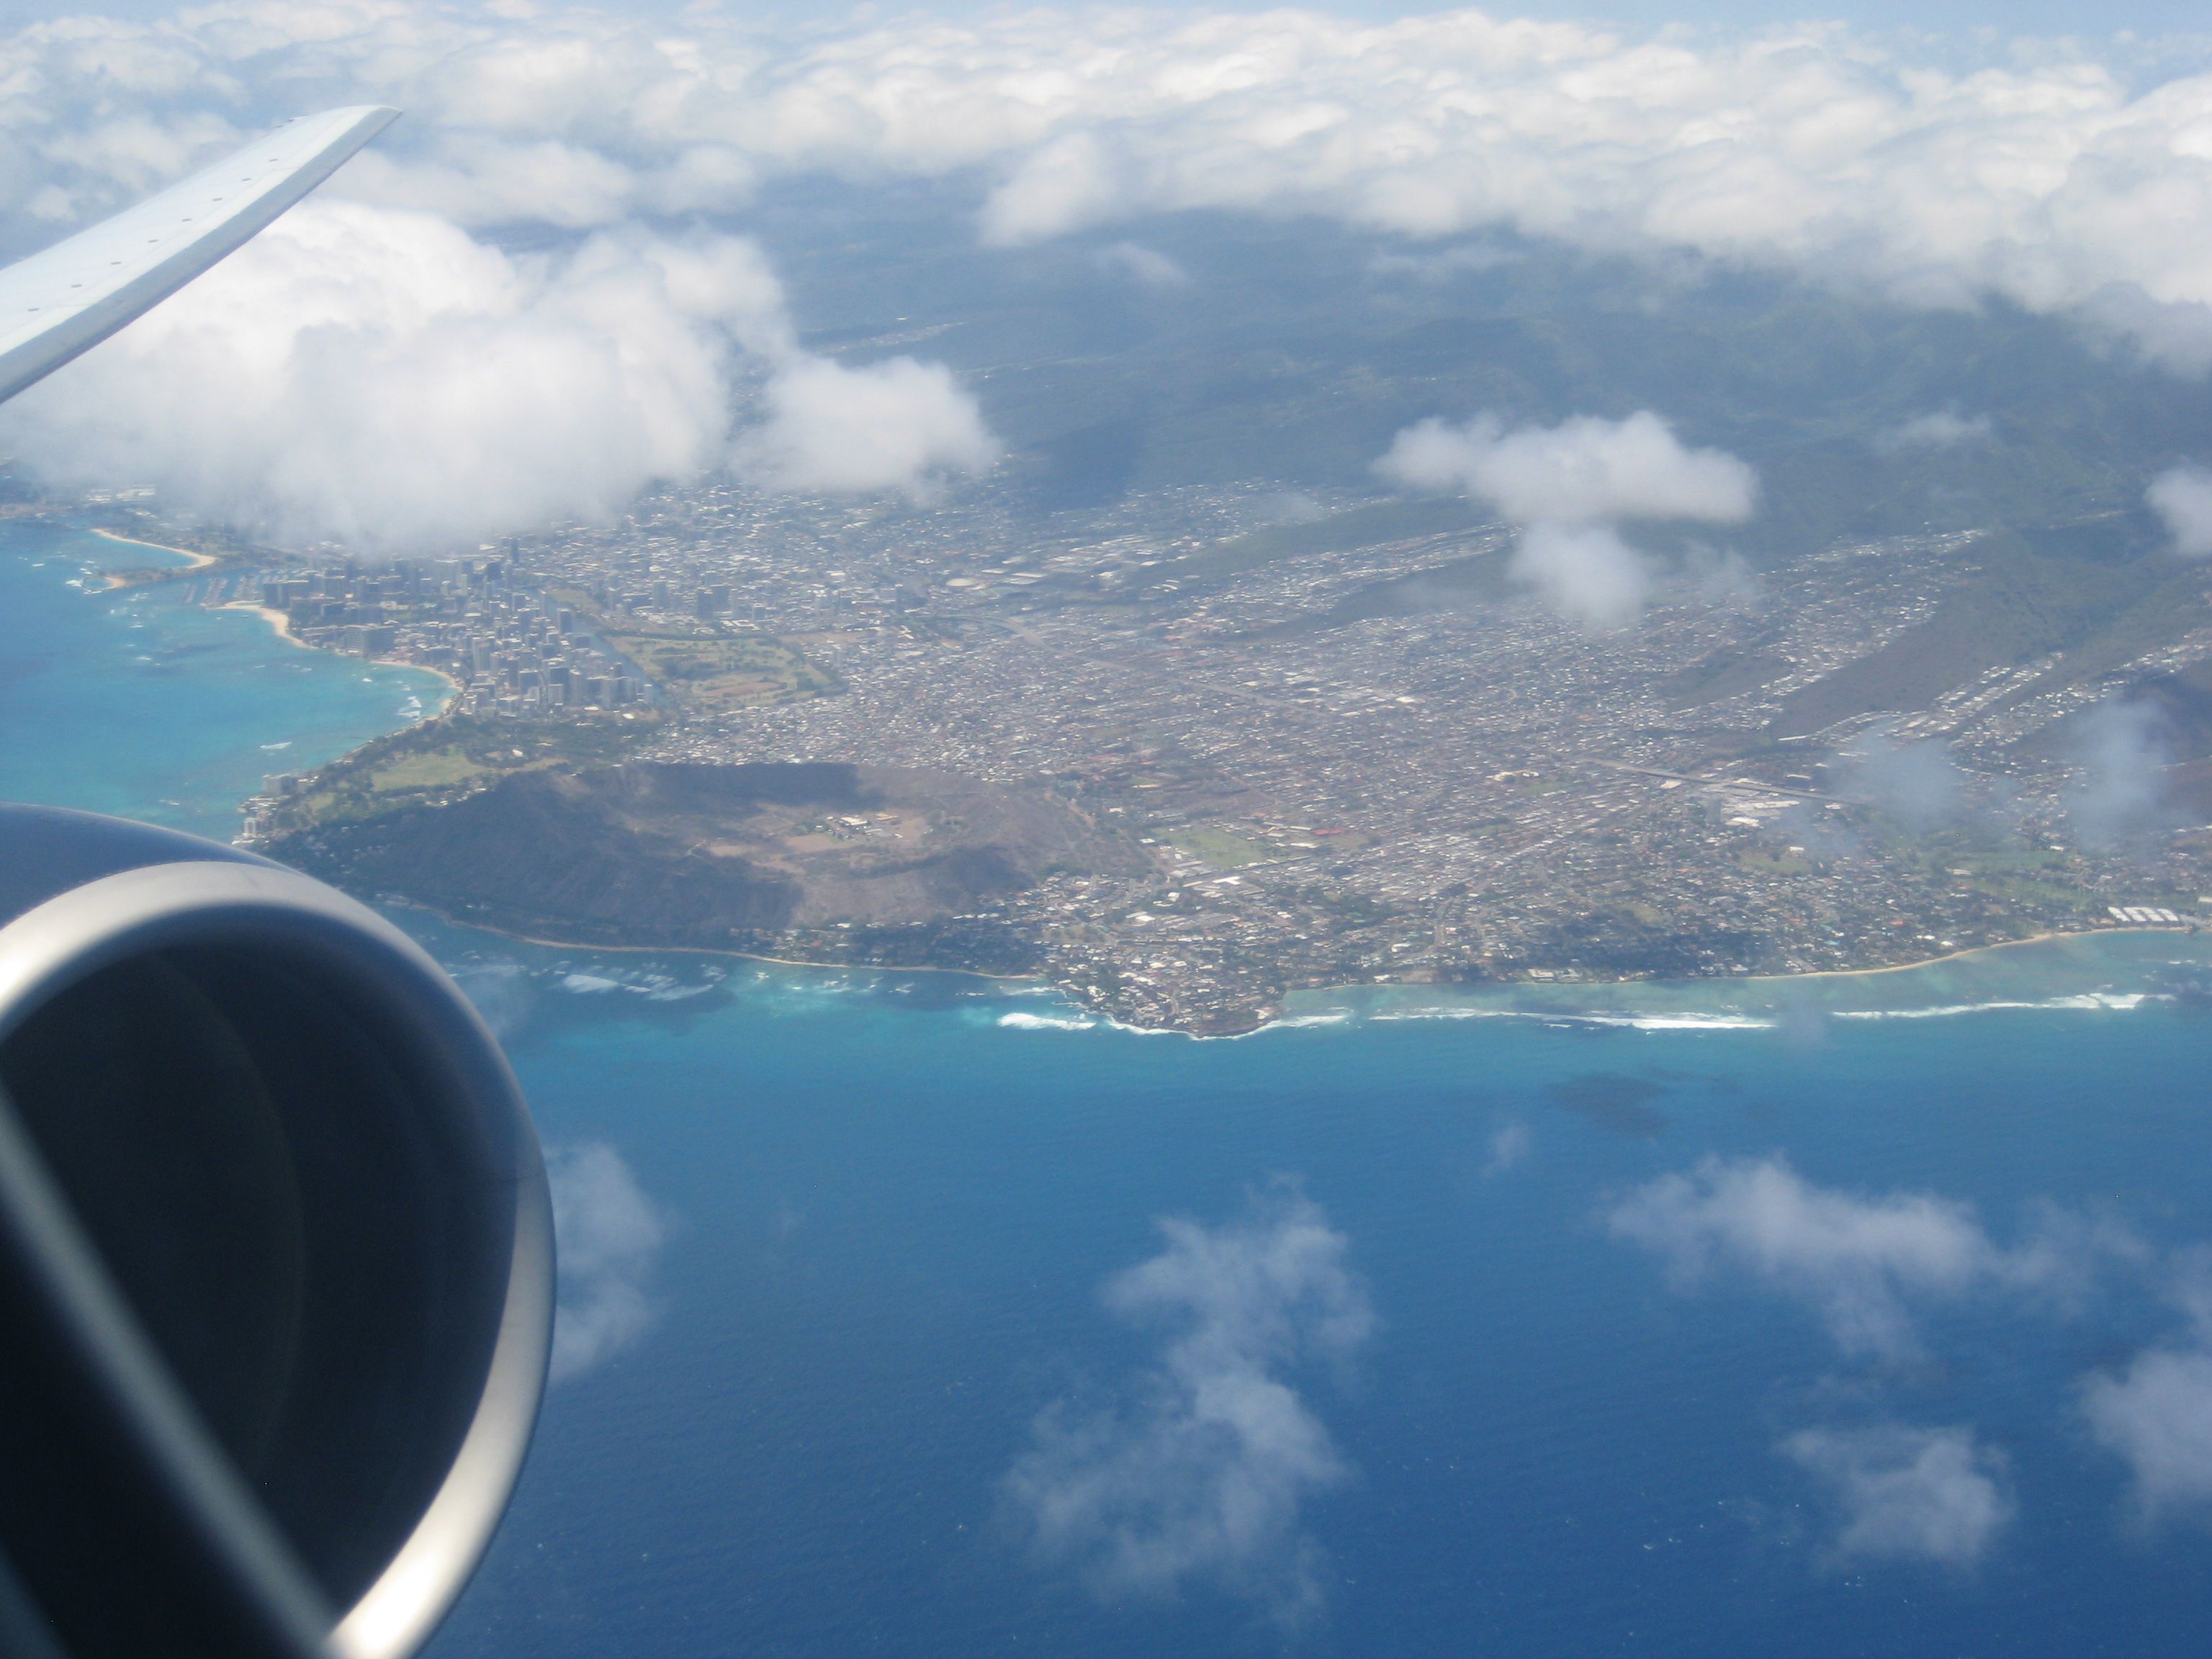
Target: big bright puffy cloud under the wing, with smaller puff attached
{"points": [[377, 377]]}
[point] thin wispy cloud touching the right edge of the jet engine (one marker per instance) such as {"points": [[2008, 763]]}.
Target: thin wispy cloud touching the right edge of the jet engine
{"points": [[609, 1240]]}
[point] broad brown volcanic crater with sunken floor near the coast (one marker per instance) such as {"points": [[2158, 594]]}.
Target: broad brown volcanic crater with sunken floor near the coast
{"points": [[716, 857]]}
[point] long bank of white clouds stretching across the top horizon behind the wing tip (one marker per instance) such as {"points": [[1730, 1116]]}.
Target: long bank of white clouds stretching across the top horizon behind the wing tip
{"points": [[2045, 178]]}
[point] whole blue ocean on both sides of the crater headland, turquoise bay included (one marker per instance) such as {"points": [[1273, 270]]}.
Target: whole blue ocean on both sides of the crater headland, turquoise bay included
{"points": [[924, 1315]]}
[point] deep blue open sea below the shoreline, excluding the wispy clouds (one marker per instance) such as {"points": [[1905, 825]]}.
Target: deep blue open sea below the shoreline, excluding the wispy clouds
{"points": [[893, 1222]]}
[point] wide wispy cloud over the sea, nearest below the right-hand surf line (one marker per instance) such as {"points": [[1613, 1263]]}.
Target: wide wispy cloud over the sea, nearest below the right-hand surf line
{"points": [[1859, 1262]]}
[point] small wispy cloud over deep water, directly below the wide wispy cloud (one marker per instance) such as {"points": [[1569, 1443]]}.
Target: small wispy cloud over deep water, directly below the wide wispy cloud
{"points": [[1910, 1494]]}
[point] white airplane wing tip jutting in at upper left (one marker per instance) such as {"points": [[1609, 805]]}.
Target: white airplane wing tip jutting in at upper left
{"points": [[70, 298]]}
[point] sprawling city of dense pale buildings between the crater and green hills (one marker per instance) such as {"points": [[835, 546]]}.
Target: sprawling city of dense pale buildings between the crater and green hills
{"points": [[1346, 764]]}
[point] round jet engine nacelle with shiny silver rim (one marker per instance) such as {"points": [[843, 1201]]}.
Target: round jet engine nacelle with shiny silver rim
{"points": [[275, 1258]]}
